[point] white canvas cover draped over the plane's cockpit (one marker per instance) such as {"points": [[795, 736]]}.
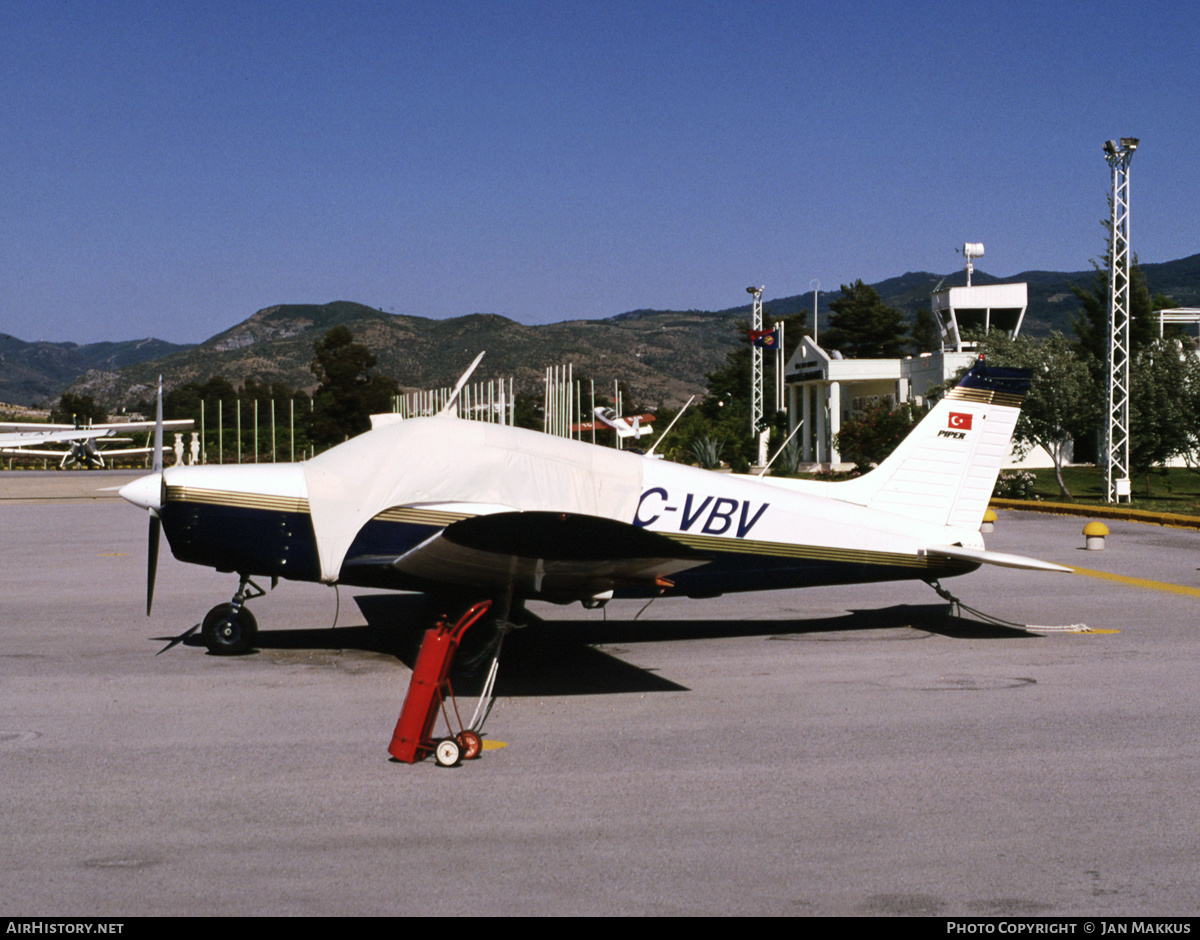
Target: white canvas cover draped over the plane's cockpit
{"points": [[446, 460]]}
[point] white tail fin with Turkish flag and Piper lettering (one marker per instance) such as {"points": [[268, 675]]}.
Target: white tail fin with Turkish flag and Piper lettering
{"points": [[946, 469]]}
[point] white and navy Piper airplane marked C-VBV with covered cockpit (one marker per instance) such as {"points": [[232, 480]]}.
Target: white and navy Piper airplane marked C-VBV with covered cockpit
{"points": [[479, 511]]}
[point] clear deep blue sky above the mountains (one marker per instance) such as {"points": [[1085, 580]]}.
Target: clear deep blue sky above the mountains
{"points": [[169, 169]]}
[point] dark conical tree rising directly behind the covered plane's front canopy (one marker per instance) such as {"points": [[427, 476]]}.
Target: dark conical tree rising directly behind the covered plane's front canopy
{"points": [[349, 393]]}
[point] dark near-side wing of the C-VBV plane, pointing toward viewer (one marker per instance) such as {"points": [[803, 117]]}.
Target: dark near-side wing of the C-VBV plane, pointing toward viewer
{"points": [[560, 555]]}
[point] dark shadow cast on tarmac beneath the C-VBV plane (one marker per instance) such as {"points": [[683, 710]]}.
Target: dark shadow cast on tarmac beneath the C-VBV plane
{"points": [[548, 657]]}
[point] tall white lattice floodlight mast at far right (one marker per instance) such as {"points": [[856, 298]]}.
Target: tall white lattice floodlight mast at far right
{"points": [[1117, 434]]}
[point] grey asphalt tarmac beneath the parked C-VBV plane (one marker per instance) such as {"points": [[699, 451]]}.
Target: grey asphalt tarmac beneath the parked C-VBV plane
{"points": [[826, 752]]}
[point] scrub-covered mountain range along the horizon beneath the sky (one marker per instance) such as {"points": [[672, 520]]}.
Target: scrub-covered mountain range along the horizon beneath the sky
{"points": [[663, 356]]}
